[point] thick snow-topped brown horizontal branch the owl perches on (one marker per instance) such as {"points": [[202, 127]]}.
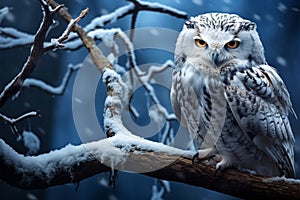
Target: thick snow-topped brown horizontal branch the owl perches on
{"points": [[86, 160]]}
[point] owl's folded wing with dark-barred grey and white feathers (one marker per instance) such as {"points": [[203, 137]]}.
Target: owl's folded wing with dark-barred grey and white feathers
{"points": [[260, 104]]}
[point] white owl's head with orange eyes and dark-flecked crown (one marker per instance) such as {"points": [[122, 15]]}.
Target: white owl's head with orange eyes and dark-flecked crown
{"points": [[216, 38]]}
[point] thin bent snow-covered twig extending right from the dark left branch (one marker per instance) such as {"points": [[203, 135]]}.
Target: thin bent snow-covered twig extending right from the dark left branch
{"points": [[58, 90]]}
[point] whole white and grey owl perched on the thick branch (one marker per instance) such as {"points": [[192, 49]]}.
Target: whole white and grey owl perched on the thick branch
{"points": [[231, 101]]}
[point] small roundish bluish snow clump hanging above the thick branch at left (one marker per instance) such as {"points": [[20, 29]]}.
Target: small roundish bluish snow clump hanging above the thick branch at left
{"points": [[31, 142]]}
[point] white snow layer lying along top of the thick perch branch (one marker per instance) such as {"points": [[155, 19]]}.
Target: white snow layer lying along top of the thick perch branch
{"points": [[112, 152]]}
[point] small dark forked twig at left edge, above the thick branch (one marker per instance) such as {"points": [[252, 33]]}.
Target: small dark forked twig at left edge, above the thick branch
{"points": [[13, 121]]}
